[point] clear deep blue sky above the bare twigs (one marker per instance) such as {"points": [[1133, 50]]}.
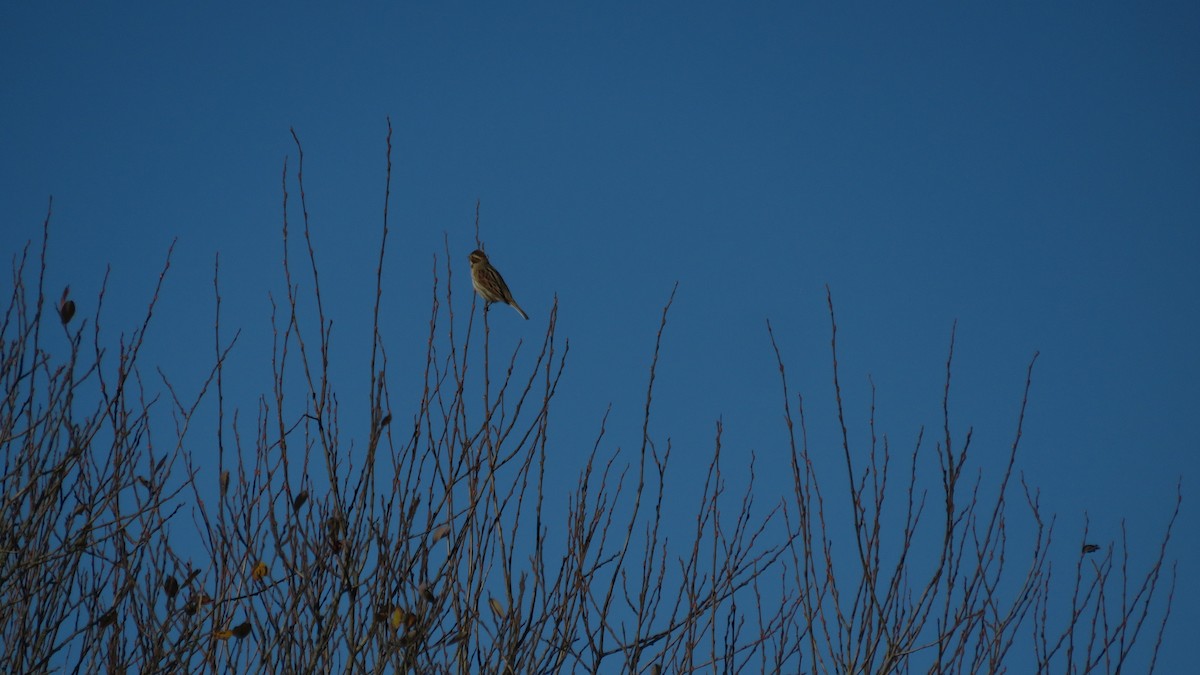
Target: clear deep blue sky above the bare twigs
{"points": [[1031, 171]]}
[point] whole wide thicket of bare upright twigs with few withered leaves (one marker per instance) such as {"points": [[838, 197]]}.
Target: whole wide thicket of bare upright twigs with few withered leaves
{"points": [[418, 541]]}
